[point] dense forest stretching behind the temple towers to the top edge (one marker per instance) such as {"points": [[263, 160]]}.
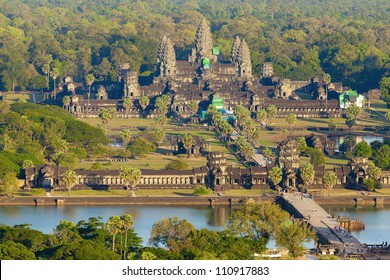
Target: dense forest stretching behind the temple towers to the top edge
{"points": [[349, 40]]}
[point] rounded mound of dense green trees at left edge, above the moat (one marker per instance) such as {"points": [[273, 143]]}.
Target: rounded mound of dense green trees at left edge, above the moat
{"points": [[37, 133]]}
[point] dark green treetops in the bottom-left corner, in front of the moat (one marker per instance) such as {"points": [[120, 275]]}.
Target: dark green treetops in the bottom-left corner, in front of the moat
{"points": [[86, 240]]}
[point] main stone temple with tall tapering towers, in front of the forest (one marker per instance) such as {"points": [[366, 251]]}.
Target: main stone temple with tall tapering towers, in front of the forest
{"points": [[203, 77]]}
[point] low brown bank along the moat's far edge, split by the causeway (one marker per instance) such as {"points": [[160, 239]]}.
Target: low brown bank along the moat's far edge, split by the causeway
{"points": [[185, 200]]}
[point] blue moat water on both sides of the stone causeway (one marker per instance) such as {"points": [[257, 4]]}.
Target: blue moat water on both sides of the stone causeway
{"points": [[46, 218]]}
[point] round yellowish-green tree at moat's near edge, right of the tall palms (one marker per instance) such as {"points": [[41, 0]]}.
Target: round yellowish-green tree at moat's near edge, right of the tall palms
{"points": [[172, 233]]}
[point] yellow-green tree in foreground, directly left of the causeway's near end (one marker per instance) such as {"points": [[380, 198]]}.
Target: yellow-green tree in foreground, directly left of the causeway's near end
{"points": [[291, 235]]}
